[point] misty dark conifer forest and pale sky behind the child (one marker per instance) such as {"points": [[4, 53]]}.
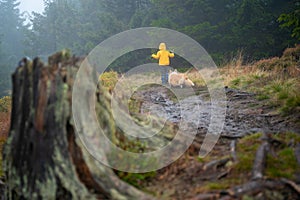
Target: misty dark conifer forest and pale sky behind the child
{"points": [[223, 27]]}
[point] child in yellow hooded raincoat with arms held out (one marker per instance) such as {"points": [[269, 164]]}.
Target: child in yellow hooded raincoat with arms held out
{"points": [[163, 56]]}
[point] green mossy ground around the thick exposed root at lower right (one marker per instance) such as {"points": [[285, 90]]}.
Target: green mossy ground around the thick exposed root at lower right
{"points": [[282, 165]]}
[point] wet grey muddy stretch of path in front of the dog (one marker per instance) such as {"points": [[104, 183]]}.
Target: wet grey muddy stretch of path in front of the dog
{"points": [[244, 114]]}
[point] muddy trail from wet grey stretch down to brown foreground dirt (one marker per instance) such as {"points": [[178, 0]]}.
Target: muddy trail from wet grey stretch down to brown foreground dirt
{"points": [[186, 178]]}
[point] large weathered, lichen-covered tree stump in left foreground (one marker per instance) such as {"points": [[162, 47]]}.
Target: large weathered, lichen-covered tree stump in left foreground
{"points": [[43, 157]]}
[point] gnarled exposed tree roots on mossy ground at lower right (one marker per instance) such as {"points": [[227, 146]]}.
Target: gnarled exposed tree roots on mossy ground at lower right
{"points": [[258, 183]]}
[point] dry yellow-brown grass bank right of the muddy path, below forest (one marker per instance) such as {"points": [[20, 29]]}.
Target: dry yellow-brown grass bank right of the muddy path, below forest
{"points": [[275, 79]]}
